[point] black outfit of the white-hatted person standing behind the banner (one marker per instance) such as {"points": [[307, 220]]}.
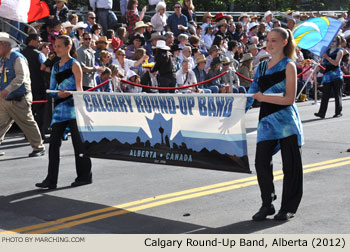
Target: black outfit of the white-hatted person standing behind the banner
{"points": [[166, 71]]}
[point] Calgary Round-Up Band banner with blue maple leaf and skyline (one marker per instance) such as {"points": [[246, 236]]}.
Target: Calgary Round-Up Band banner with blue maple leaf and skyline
{"points": [[192, 130]]}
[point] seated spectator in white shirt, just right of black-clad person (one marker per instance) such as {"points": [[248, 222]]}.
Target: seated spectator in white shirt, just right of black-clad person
{"points": [[185, 76]]}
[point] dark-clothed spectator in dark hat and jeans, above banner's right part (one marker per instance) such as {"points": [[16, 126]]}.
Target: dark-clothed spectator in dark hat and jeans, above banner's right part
{"points": [[216, 85]]}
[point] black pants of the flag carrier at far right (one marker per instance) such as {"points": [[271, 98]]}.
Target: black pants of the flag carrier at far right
{"points": [[326, 91]]}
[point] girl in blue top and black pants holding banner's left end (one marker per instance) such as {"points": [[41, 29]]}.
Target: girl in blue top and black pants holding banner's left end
{"points": [[66, 76]]}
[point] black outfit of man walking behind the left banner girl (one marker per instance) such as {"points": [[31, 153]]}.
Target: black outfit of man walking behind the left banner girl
{"points": [[40, 110]]}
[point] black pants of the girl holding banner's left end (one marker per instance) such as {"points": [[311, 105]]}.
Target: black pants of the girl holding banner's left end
{"points": [[82, 164]]}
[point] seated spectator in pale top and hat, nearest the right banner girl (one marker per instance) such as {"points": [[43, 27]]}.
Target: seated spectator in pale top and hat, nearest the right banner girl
{"points": [[231, 79]]}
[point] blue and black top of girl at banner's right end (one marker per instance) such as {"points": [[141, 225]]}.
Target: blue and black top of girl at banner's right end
{"points": [[275, 121]]}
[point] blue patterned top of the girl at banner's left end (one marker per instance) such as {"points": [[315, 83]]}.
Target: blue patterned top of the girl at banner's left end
{"points": [[64, 111]]}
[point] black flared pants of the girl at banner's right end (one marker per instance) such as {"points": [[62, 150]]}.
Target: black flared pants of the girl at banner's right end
{"points": [[292, 169]]}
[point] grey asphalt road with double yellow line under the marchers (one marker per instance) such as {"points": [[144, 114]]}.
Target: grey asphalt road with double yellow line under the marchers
{"points": [[130, 198]]}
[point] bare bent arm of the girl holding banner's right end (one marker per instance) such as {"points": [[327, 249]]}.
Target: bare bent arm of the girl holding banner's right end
{"points": [[291, 87]]}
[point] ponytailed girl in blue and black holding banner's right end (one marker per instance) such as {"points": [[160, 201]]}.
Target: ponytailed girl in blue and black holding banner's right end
{"points": [[279, 126]]}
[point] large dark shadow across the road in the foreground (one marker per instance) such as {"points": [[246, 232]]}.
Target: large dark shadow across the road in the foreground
{"points": [[39, 207]]}
